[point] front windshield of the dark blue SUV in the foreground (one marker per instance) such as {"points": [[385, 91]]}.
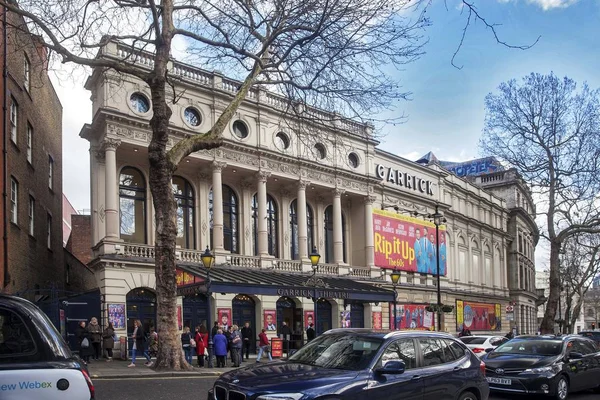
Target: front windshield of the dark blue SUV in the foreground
{"points": [[349, 352]]}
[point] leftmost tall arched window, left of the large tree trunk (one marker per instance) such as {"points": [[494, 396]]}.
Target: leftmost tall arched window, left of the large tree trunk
{"points": [[132, 205]]}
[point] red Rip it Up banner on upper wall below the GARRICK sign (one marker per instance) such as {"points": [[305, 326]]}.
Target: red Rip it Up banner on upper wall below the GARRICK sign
{"points": [[407, 243]]}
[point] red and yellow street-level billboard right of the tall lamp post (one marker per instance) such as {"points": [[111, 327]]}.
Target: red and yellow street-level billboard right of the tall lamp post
{"points": [[478, 316]]}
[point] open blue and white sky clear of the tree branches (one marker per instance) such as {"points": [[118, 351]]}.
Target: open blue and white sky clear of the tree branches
{"points": [[446, 111]]}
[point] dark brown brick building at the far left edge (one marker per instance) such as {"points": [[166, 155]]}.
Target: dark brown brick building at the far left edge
{"points": [[32, 252]]}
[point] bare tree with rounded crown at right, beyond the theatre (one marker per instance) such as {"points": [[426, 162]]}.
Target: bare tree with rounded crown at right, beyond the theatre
{"points": [[550, 132]]}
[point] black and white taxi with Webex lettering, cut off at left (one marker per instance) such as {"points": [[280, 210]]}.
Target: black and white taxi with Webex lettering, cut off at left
{"points": [[35, 361]]}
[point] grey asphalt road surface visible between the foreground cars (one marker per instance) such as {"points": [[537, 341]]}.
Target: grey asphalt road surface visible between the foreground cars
{"points": [[196, 388]]}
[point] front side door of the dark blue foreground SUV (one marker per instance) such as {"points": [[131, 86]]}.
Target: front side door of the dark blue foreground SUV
{"points": [[406, 386]]}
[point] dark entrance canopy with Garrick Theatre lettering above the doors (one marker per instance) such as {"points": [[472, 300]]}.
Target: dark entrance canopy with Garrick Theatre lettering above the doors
{"points": [[225, 279]]}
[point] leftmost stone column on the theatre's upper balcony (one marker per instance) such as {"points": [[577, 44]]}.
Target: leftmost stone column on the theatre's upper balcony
{"points": [[111, 209]]}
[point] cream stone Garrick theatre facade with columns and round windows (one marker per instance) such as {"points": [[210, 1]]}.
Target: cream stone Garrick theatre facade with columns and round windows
{"points": [[271, 194]]}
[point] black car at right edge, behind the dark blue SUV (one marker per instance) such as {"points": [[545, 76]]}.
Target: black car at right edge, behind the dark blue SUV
{"points": [[546, 364]]}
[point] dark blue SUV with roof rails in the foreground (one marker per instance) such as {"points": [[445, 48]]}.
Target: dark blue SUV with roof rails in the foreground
{"points": [[353, 364]]}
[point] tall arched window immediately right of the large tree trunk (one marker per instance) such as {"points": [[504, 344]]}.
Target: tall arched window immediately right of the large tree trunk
{"points": [[186, 221]]}
